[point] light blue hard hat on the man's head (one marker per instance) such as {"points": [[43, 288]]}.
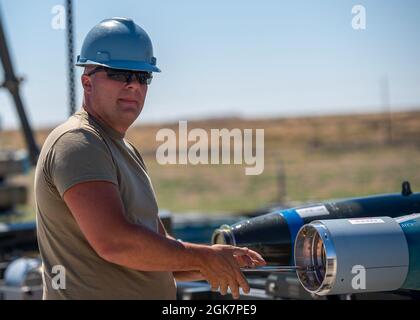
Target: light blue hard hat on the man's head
{"points": [[118, 43]]}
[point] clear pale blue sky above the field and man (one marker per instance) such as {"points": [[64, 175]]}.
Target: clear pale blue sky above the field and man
{"points": [[237, 57]]}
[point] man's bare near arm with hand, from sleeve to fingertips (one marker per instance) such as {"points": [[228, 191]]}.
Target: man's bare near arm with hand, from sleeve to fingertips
{"points": [[98, 210]]}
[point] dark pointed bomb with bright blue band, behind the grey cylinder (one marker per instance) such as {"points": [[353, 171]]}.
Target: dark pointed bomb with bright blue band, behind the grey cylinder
{"points": [[273, 234]]}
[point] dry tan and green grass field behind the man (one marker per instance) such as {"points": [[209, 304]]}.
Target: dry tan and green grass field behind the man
{"points": [[306, 159]]}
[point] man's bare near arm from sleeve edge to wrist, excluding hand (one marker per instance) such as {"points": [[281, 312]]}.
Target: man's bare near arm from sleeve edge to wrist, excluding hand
{"points": [[99, 212]]}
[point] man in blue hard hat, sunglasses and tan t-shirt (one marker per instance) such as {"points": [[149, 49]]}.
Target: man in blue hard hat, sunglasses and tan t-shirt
{"points": [[96, 208]]}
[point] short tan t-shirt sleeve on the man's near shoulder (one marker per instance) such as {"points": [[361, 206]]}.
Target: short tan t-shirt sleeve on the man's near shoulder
{"points": [[80, 156]]}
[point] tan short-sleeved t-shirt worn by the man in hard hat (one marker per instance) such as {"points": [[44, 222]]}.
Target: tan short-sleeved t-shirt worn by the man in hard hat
{"points": [[86, 149]]}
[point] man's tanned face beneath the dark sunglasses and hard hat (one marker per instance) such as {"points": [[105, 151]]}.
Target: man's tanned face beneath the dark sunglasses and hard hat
{"points": [[118, 103]]}
